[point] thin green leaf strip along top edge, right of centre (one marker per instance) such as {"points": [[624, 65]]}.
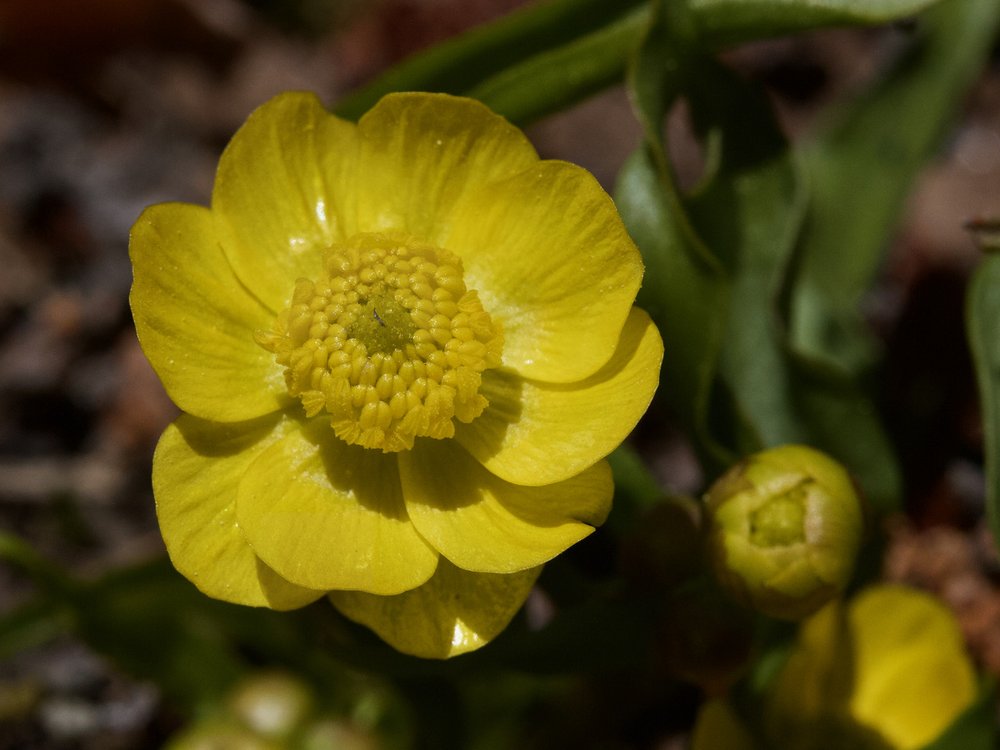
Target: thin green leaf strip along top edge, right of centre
{"points": [[723, 23]]}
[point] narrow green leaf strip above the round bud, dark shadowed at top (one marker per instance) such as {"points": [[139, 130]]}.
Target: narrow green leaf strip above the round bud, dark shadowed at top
{"points": [[748, 211]]}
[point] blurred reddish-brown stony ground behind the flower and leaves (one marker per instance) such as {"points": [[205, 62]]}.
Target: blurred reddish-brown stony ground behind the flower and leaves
{"points": [[107, 106]]}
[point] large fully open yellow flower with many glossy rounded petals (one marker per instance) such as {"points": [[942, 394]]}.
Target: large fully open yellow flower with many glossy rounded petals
{"points": [[403, 349]]}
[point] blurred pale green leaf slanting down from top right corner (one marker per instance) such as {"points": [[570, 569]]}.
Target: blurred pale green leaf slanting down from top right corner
{"points": [[863, 167]]}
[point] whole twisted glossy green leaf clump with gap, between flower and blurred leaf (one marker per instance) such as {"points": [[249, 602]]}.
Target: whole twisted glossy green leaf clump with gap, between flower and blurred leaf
{"points": [[717, 263]]}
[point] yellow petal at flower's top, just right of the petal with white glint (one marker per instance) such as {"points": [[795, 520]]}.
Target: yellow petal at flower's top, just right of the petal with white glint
{"points": [[422, 152]]}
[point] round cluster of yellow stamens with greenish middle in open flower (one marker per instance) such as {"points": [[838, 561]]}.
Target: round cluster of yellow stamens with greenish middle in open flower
{"points": [[389, 342]]}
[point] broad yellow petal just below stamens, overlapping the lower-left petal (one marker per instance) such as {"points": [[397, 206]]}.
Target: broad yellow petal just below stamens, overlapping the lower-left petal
{"points": [[328, 515]]}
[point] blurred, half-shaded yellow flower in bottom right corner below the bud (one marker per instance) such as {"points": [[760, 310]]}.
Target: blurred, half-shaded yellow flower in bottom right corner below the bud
{"points": [[888, 671]]}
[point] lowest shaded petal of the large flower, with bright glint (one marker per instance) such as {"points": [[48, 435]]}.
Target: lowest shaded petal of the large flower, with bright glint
{"points": [[454, 612]]}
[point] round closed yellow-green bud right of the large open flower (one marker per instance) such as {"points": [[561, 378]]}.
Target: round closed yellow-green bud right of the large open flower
{"points": [[784, 529]]}
